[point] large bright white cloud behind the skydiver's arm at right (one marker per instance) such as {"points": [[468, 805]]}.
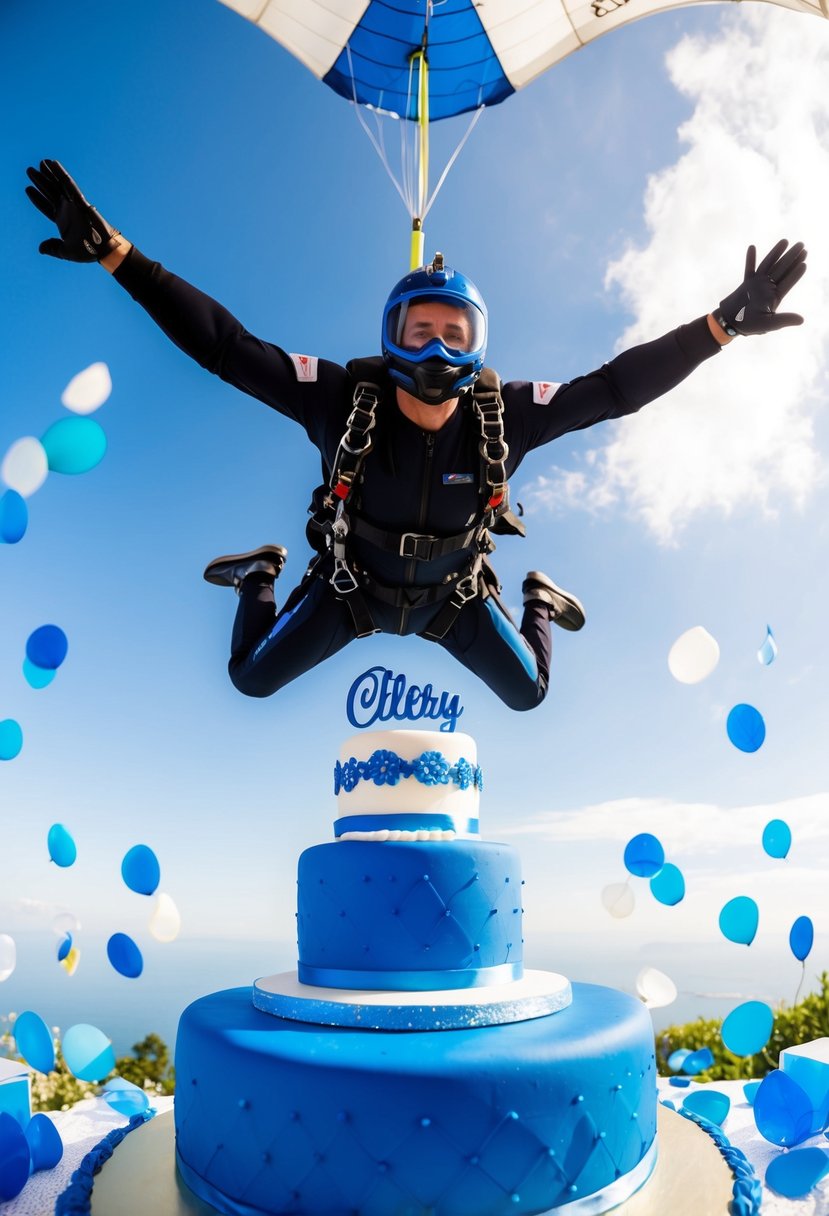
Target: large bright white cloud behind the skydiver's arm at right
{"points": [[740, 434]]}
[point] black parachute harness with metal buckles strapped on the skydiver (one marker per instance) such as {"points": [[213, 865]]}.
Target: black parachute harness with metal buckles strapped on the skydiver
{"points": [[331, 522]]}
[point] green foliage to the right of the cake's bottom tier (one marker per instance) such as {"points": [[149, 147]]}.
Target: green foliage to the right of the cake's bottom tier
{"points": [[793, 1024]]}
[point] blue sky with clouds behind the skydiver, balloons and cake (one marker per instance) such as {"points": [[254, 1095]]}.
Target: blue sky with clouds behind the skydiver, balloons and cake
{"points": [[608, 202]]}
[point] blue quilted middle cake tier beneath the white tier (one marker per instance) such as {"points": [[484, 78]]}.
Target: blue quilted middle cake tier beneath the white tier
{"points": [[410, 916]]}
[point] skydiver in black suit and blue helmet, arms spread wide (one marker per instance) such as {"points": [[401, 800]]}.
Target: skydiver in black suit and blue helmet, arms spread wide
{"points": [[418, 449]]}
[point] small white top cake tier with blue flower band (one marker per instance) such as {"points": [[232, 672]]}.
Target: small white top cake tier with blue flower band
{"points": [[410, 774]]}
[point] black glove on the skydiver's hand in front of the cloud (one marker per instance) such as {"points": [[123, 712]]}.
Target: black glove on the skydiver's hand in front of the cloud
{"points": [[753, 307]]}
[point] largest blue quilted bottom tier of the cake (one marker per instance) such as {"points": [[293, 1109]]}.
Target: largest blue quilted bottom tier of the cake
{"points": [[284, 1117]]}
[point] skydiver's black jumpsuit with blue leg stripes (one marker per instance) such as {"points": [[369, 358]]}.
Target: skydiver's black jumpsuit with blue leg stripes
{"points": [[414, 481]]}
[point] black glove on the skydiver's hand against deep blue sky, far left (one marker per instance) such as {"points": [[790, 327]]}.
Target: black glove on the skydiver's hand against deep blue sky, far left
{"points": [[86, 235]]}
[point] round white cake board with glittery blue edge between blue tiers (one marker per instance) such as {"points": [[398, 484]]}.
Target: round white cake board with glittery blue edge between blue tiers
{"points": [[537, 995]]}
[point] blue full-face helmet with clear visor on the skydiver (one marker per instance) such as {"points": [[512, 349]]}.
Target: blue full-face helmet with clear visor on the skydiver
{"points": [[447, 364]]}
